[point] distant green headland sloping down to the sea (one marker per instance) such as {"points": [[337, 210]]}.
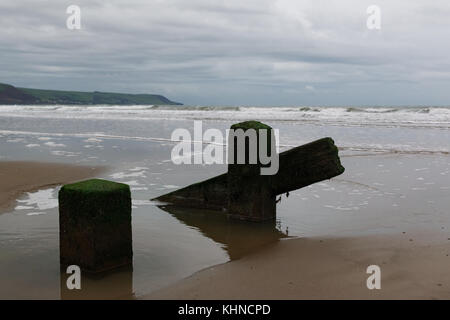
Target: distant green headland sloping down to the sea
{"points": [[25, 96]]}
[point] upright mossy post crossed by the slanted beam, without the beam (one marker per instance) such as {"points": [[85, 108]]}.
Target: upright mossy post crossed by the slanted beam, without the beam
{"points": [[250, 194]]}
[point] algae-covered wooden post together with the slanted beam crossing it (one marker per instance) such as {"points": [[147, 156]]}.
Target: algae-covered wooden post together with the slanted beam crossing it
{"points": [[247, 194]]}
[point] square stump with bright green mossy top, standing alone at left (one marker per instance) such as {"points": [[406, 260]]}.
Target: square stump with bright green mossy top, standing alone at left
{"points": [[95, 225]]}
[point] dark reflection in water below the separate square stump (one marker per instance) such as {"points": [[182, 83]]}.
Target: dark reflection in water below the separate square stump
{"points": [[117, 284]]}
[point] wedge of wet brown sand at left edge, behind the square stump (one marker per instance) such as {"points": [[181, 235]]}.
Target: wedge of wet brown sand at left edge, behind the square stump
{"points": [[19, 177]]}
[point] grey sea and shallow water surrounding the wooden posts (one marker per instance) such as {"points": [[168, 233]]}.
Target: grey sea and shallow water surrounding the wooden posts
{"points": [[396, 180]]}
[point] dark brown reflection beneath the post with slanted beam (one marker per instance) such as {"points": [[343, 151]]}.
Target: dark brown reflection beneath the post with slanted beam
{"points": [[238, 237]]}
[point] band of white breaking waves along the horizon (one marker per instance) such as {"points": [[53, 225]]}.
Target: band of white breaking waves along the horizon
{"points": [[419, 117]]}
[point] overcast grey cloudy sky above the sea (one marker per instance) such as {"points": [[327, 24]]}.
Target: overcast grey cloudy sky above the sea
{"points": [[234, 52]]}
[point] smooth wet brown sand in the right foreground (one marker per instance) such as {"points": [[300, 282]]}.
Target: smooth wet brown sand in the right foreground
{"points": [[412, 267]]}
